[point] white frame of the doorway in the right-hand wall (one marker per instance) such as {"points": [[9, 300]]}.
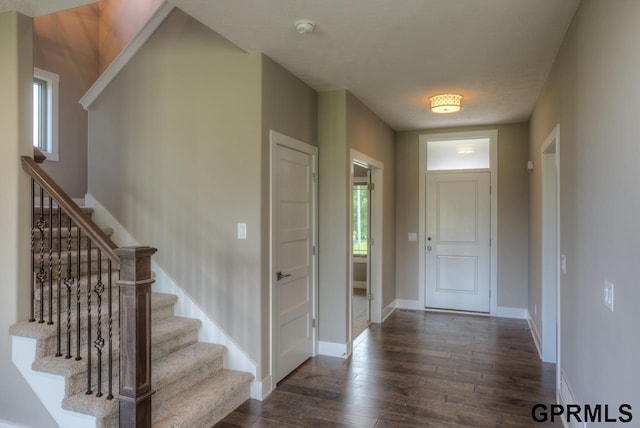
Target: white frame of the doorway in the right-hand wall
{"points": [[550, 250]]}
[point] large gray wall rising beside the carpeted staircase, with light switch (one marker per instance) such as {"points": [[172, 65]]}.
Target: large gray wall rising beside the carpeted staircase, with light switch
{"points": [[175, 146]]}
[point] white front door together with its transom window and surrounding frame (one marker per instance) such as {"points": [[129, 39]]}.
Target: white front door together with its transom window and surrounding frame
{"points": [[458, 221]]}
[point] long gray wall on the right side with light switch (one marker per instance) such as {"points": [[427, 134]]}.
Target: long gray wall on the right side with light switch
{"points": [[592, 92]]}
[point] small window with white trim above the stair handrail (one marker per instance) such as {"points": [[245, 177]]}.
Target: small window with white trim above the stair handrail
{"points": [[45, 112]]}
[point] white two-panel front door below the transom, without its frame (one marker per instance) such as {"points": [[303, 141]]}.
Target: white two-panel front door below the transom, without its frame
{"points": [[458, 243]]}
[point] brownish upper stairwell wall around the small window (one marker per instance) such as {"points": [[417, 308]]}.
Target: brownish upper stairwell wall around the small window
{"points": [[66, 43]]}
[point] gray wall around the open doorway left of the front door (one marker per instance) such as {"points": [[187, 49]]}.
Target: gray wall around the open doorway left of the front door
{"points": [[345, 123]]}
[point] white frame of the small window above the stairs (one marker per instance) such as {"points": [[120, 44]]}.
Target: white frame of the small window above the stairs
{"points": [[48, 113]]}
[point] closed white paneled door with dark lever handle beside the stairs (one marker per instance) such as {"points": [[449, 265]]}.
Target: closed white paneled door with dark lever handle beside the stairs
{"points": [[293, 194]]}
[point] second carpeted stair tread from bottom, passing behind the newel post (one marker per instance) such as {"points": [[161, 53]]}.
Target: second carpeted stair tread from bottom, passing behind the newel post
{"points": [[164, 371]]}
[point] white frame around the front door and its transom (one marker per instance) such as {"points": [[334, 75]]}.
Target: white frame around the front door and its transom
{"points": [[492, 134]]}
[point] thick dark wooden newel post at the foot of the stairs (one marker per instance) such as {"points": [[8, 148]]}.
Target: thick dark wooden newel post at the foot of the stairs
{"points": [[135, 336]]}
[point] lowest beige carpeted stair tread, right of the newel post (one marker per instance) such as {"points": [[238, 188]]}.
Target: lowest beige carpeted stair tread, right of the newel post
{"points": [[205, 403]]}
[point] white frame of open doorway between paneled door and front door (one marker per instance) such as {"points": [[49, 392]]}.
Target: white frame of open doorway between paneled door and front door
{"points": [[377, 173]]}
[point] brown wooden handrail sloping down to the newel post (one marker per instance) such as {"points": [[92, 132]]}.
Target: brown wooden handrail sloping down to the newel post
{"points": [[88, 227]]}
